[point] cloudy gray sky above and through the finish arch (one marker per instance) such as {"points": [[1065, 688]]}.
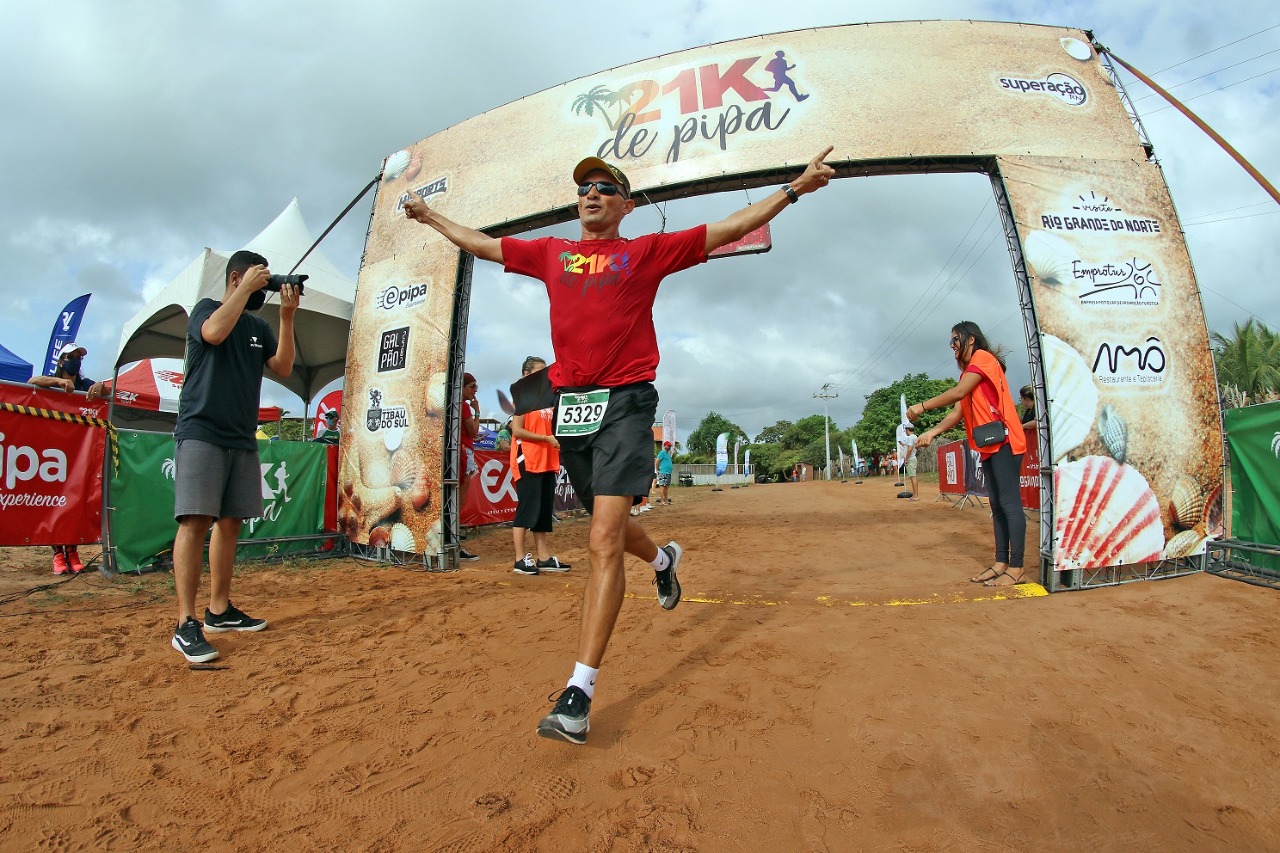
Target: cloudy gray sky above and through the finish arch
{"points": [[138, 133]]}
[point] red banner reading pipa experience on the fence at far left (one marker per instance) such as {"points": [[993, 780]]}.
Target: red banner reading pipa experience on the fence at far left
{"points": [[51, 469]]}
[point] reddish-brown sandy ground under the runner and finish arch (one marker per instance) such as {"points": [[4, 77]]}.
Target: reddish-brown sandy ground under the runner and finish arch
{"points": [[831, 682]]}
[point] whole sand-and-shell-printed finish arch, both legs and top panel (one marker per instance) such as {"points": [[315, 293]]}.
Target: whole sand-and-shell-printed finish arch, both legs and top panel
{"points": [[1130, 431]]}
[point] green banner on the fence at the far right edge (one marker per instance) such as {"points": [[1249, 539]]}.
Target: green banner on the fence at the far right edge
{"points": [[1254, 440]]}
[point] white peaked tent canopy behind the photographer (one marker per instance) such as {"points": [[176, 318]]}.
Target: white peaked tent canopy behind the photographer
{"points": [[321, 327]]}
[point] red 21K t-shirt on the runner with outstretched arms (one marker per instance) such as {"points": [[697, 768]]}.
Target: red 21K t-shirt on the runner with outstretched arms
{"points": [[602, 295]]}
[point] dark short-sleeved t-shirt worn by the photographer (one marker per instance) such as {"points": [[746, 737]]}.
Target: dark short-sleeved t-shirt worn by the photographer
{"points": [[221, 394]]}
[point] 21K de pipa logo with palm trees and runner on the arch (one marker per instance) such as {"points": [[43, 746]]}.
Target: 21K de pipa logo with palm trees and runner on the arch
{"points": [[685, 107]]}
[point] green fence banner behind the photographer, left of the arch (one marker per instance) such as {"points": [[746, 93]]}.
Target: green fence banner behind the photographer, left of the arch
{"points": [[141, 518]]}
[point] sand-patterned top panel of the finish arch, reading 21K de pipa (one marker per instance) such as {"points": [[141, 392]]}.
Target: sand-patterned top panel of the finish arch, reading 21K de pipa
{"points": [[938, 89]]}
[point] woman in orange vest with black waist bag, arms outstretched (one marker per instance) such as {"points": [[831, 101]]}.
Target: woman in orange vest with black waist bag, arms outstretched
{"points": [[996, 434]]}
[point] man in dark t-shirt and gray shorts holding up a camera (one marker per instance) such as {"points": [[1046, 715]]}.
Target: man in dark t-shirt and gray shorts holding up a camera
{"points": [[217, 466]]}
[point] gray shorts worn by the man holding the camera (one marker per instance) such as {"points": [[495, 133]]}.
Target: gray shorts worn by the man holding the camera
{"points": [[218, 482]]}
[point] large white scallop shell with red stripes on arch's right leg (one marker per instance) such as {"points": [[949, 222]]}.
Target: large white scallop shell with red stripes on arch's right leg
{"points": [[1105, 516]]}
